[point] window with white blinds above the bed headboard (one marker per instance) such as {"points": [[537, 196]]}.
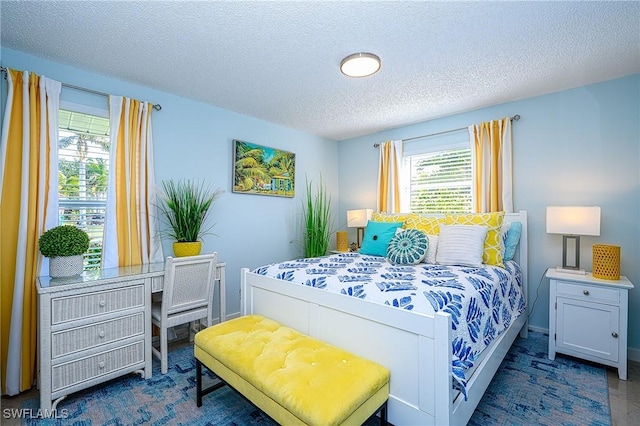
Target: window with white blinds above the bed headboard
{"points": [[437, 174]]}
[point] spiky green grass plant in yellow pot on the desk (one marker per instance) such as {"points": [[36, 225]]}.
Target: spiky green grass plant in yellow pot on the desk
{"points": [[186, 205]]}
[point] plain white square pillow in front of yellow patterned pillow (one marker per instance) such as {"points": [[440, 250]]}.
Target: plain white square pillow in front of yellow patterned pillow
{"points": [[461, 245]]}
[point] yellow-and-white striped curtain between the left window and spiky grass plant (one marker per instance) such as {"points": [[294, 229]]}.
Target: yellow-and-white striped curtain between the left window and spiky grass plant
{"points": [[131, 229]]}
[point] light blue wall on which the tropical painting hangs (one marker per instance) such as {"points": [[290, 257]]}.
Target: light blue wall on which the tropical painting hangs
{"points": [[194, 140]]}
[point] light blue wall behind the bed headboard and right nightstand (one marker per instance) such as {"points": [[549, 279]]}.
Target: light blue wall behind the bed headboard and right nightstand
{"points": [[576, 147]]}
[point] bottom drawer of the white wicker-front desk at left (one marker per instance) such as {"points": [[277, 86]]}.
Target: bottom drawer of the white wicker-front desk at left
{"points": [[92, 367]]}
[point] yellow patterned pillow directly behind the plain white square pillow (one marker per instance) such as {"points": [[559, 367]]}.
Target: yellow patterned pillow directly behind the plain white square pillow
{"points": [[493, 251]]}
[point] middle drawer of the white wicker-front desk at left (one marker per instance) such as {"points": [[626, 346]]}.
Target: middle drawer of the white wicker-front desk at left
{"points": [[82, 338]]}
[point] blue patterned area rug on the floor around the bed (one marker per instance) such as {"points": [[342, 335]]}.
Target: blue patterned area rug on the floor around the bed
{"points": [[528, 389]]}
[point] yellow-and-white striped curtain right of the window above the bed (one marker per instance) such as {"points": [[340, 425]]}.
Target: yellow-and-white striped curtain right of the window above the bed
{"points": [[492, 166]]}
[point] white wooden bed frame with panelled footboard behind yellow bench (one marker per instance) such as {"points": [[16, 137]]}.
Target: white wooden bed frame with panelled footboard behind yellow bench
{"points": [[415, 347]]}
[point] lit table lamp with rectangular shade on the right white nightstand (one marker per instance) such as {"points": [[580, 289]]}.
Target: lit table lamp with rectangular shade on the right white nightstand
{"points": [[572, 222]]}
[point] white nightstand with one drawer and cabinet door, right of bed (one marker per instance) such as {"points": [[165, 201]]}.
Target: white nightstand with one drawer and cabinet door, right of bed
{"points": [[588, 318]]}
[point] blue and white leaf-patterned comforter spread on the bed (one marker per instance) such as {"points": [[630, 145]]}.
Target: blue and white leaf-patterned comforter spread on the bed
{"points": [[482, 302]]}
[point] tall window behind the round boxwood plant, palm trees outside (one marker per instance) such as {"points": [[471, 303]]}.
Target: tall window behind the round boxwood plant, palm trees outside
{"points": [[83, 175]]}
